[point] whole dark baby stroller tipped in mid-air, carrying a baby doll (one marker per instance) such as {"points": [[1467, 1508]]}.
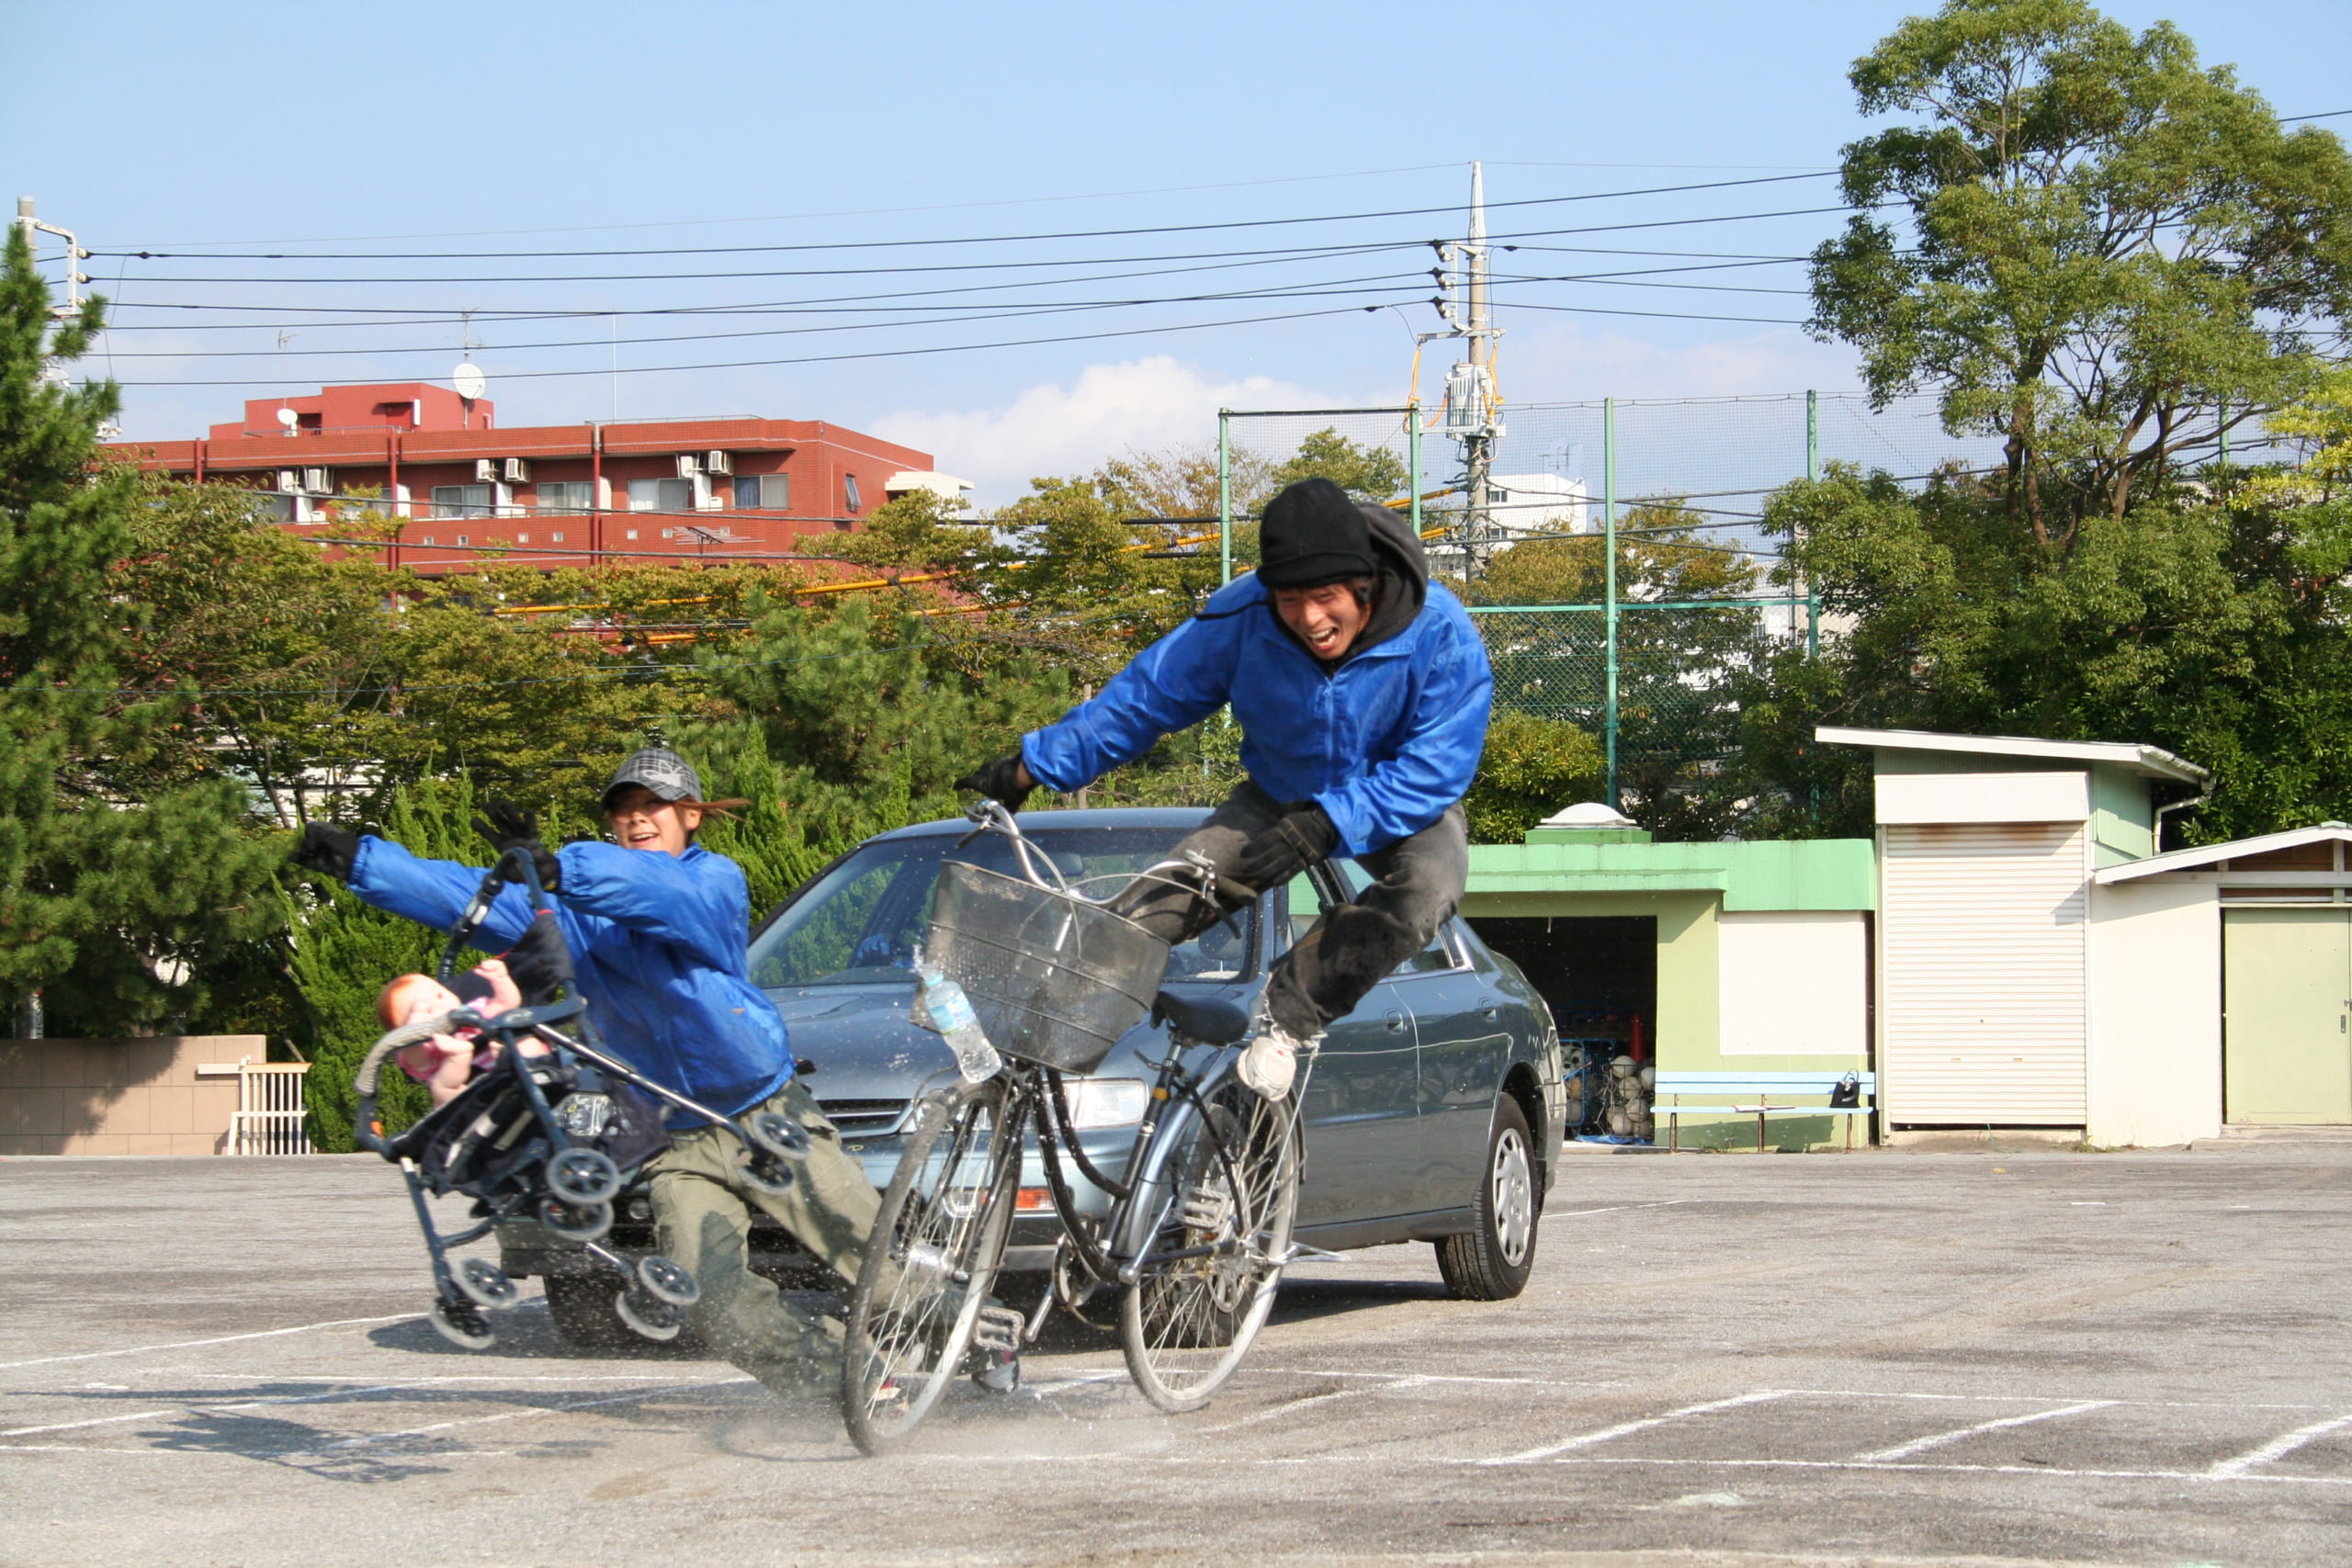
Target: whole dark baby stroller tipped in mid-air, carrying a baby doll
{"points": [[549, 1132]]}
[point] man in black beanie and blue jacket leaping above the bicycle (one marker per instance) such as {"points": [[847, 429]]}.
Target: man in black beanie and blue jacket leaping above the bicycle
{"points": [[1363, 697]]}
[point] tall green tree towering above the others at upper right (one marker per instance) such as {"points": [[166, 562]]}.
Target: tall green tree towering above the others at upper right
{"points": [[2106, 250]]}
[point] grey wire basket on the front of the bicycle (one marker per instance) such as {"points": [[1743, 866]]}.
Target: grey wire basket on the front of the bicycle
{"points": [[1055, 979]]}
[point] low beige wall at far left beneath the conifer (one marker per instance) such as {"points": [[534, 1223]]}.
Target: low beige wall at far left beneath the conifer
{"points": [[119, 1097]]}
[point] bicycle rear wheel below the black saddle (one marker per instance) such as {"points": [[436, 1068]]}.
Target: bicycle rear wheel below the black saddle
{"points": [[1227, 1195]]}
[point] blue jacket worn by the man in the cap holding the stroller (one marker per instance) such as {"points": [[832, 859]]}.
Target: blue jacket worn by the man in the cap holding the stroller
{"points": [[657, 944]]}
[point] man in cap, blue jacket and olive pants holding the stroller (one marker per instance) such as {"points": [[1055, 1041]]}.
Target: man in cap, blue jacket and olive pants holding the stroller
{"points": [[657, 927]]}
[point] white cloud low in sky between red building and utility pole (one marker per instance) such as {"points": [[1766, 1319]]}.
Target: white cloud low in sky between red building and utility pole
{"points": [[1055, 431]]}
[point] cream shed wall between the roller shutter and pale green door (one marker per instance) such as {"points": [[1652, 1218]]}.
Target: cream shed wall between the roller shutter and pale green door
{"points": [[2156, 1014]]}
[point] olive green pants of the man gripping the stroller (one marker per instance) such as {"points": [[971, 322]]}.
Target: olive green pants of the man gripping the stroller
{"points": [[702, 1217]]}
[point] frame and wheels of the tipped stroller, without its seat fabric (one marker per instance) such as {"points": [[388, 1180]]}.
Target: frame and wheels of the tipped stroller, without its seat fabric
{"points": [[573, 1186]]}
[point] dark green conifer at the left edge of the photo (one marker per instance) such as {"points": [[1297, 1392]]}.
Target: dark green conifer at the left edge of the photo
{"points": [[112, 887]]}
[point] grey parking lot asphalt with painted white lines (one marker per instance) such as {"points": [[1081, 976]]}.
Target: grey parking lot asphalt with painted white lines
{"points": [[1880, 1358]]}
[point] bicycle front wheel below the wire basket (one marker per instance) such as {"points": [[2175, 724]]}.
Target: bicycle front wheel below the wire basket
{"points": [[930, 1261]]}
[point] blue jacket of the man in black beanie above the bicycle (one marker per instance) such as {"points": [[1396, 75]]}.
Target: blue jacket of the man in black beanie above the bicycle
{"points": [[1384, 742]]}
